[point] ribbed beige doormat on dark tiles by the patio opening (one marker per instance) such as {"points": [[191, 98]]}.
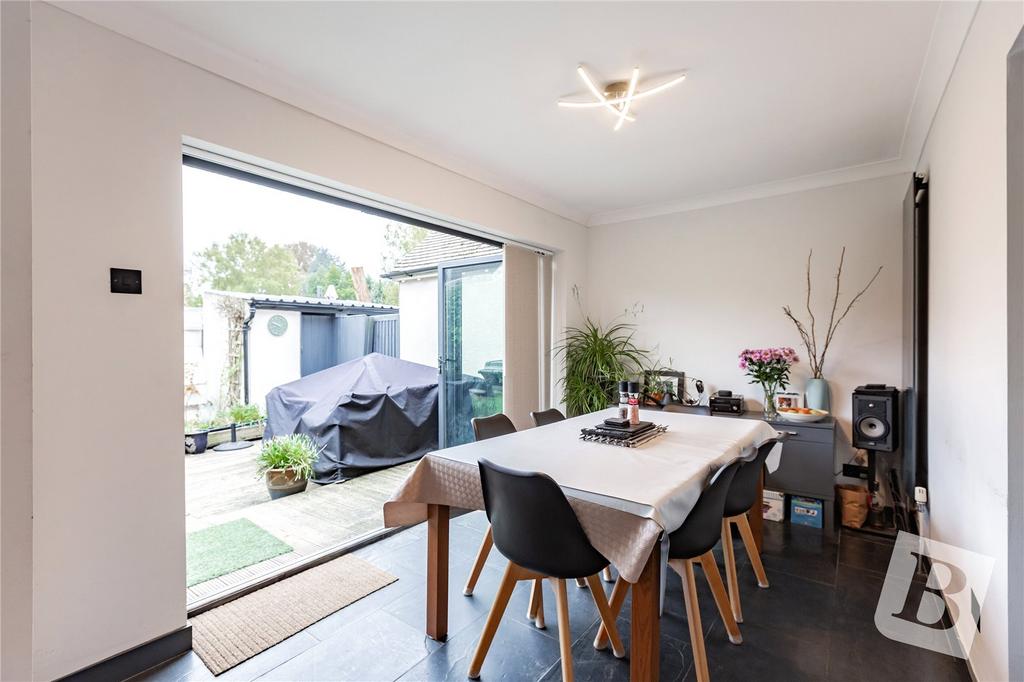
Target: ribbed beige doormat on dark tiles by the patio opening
{"points": [[226, 636]]}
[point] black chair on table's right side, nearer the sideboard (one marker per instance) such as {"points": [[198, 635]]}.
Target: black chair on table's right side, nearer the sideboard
{"points": [[743, 494]]}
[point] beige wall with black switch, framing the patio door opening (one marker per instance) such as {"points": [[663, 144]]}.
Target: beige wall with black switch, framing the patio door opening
{"points": [[109, 117]]}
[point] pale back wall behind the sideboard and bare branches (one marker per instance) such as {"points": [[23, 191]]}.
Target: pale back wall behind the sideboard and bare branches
{"points": [[713, 282]]}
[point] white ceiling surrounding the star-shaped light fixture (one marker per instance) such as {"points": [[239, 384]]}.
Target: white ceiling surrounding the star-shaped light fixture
{"points": [[777, 95]]}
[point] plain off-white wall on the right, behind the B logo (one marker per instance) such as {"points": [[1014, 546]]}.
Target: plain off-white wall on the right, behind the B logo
{"points": [[965, 158]]}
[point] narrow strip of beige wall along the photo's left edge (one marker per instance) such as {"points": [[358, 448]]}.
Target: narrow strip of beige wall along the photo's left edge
{"points": [[16, 342]]}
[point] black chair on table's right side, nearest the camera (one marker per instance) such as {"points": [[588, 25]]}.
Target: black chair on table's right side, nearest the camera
{"points": [[694, 541]]}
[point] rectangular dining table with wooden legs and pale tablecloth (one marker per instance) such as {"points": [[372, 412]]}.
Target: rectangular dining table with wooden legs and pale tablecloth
{"points": [[627, 499]]}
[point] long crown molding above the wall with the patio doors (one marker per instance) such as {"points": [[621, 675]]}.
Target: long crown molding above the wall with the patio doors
{"points": [[136, 22]]}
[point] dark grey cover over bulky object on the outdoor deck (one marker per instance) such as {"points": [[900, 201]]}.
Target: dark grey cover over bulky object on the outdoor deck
{"points": [[367, 414]]}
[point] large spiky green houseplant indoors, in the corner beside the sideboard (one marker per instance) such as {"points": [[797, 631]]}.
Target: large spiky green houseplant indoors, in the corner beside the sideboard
{"points": [[596, 360]]}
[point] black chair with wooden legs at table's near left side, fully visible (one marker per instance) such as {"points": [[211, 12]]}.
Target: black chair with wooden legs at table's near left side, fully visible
{"points": [[534, 526]]}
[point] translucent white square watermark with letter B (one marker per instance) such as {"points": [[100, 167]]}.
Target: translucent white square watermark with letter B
{"points": [[915, 613]]}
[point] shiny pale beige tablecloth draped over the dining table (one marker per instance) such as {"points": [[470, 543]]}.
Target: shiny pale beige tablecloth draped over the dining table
{"points": [[625, 498]]}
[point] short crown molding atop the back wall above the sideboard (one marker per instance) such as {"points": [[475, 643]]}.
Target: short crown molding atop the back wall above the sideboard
{"points": [[750, 193]]}
